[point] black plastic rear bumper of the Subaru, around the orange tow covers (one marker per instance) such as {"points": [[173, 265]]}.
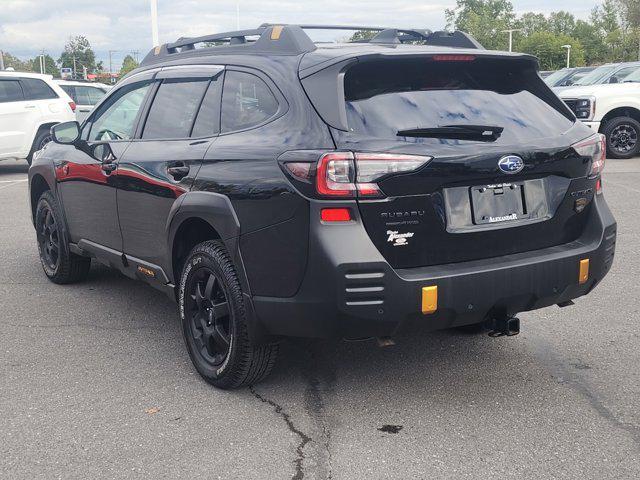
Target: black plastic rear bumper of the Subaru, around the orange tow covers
{"points": [[350, 291]]}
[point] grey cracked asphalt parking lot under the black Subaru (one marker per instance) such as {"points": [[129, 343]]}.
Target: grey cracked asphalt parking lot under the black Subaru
{"points": [[96, 383]]}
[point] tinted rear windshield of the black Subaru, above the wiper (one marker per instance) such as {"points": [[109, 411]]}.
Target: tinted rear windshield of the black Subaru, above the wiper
{"points": [[383, 98]]}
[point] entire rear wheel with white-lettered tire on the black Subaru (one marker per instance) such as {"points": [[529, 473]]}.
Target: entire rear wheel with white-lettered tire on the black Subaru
{"points": [[211, 308]]}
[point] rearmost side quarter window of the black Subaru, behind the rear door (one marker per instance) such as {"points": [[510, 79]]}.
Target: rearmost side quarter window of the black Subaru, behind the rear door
{"points": [[246, 101]]}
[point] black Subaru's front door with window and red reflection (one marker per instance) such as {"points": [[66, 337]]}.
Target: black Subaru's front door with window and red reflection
{"points": [[86, 183]]}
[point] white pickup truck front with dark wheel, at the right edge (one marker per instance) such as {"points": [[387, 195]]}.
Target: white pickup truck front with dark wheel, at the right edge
{"points": [[611, 109]]}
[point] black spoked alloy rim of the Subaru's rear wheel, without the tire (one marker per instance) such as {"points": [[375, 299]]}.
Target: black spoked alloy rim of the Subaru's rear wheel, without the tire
{"points": [[210, 320]]}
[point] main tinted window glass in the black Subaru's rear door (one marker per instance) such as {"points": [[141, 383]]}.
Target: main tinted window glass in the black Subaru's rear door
{"points": [[174, 109]]}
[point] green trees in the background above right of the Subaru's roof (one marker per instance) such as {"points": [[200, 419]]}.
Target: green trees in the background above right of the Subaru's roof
{"points": [[610, 34]]}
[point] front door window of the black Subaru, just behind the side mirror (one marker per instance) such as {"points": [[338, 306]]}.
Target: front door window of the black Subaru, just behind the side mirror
{"points": [[117, 120]]}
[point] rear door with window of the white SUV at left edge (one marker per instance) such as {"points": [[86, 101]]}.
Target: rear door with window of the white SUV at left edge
{"points": [[16, 116]]}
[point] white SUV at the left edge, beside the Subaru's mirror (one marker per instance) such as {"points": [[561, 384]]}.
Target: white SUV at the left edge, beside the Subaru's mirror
{"points": [[30, 104]]}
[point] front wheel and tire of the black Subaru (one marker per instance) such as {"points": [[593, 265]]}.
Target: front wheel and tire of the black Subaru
{"points": [[58, 263]]}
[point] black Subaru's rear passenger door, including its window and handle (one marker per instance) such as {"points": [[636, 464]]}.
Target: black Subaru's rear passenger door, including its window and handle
{"points": [[161, 164]]}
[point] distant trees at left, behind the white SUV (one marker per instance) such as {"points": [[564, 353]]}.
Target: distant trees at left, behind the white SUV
{"points": [[77, 55]]}
